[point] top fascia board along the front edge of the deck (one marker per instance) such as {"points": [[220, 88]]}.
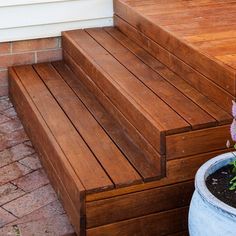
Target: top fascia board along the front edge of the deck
{"points": [[152, 26]]}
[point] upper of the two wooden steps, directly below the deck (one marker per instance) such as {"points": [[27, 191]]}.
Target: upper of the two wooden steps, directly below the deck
{"points": [[159, 104]]}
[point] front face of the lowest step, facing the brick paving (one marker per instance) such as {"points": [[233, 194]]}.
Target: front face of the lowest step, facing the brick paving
{"points": [[67, 185]]}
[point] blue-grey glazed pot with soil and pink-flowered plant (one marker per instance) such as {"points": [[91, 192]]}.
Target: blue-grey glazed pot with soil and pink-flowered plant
{"points": [[213, 205]]}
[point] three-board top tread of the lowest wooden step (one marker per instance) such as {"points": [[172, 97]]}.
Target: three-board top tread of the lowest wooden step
{"points": [[65, 106]]}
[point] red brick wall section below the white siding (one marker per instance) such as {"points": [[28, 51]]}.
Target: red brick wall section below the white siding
{"points": [[26, 52]]}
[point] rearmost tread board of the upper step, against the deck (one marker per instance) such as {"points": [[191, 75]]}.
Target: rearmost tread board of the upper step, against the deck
{"points": [[202, 101]]}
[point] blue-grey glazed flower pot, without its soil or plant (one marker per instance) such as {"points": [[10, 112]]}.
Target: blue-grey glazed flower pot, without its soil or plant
{"points": [[208, 215]]}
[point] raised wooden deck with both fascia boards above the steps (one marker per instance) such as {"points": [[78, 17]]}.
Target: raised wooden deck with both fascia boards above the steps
{"points": [[189, 42]]}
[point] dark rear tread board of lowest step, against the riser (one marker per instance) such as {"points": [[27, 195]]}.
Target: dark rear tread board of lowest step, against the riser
{"points": [[148, 166]]}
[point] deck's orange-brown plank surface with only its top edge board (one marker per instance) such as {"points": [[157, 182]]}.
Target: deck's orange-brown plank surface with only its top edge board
{"points": [[201, 33]]}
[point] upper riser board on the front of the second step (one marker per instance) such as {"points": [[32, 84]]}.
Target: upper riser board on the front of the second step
{"points": [[140, 122]]}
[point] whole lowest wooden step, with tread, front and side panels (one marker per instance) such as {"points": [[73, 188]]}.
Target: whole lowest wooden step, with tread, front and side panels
{"points": [[85, 151]]}
